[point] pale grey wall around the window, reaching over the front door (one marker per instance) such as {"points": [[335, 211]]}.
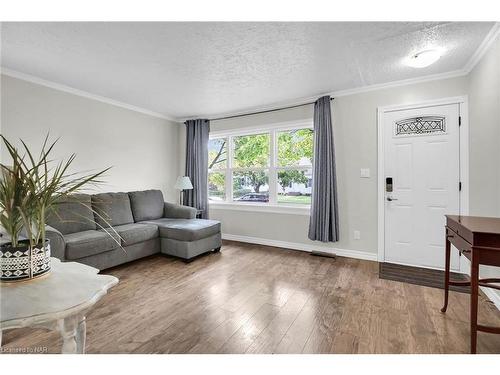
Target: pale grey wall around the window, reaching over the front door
{"points": [[355, 132]]}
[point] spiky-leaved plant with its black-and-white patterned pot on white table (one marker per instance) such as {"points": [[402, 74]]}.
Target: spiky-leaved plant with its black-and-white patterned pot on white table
{"points": [[29, 190]]}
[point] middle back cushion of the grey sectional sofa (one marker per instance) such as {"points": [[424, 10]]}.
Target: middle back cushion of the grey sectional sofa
{"points": [[112, 209]]}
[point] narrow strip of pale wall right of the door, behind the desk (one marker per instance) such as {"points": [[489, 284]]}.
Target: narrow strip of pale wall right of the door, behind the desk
{"points": [[484, 96]]}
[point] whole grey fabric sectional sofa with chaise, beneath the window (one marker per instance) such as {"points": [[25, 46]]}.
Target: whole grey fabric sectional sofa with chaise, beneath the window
{"points": [[142, 224]]}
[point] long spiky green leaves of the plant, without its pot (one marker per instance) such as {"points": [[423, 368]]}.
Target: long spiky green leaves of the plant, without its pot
{"points": [[30, 187]]}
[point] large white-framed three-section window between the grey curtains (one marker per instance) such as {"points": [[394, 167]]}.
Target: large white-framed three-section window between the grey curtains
{"points": [[267, 167]]}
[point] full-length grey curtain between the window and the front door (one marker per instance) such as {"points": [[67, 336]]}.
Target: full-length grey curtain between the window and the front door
{"points": [[324, 221]]}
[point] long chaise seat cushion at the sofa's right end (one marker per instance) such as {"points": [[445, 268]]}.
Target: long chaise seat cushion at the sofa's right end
{"points": [[186, 229]]}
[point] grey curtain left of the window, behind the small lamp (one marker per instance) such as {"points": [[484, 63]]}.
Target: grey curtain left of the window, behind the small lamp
{"points": [[197, 165]]}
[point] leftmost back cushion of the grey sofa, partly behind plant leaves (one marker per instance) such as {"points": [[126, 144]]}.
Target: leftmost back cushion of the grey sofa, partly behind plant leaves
{"points": [[72, 214]]}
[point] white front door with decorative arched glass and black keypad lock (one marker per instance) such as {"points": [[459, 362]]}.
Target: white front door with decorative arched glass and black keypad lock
{"points": [[421, 153]]}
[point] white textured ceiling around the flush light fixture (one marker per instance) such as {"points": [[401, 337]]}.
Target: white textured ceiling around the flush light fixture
{"points": [[188, 69]]}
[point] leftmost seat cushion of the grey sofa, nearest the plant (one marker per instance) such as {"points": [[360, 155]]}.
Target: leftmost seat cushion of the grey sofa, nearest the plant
{"points": [[89, 242]]}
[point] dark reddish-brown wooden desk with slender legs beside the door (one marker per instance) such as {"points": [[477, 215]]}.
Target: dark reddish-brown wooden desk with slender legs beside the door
{"points": [[478, 239]]}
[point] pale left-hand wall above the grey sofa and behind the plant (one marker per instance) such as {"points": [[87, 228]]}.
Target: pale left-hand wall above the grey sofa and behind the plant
{"points": [[143, 150]]}
